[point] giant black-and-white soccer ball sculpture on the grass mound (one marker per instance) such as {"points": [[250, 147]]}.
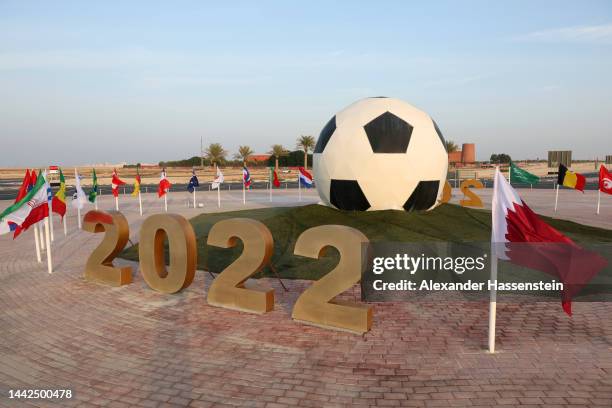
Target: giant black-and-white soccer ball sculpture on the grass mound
{"points": [[380, 154]]}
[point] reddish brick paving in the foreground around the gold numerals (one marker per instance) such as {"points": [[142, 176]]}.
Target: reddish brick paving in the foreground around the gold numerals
{"points": [[132, 347]]}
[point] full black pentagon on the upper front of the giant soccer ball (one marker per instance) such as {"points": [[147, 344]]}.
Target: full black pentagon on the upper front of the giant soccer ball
{"points": [[388, 134]]}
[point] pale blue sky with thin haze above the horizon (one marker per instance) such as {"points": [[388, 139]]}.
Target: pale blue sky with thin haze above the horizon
{"points": [[84, 82]]}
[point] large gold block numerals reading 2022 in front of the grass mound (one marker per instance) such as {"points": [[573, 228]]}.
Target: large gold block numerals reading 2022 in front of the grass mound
{"points": [[231, 288]]}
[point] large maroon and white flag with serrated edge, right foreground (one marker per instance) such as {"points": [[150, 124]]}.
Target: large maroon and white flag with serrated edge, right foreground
{"points": [[518, 235]]}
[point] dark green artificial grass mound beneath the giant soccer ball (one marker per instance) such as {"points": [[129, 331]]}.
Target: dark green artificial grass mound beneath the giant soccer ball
{"points": [[447, 222]]}
